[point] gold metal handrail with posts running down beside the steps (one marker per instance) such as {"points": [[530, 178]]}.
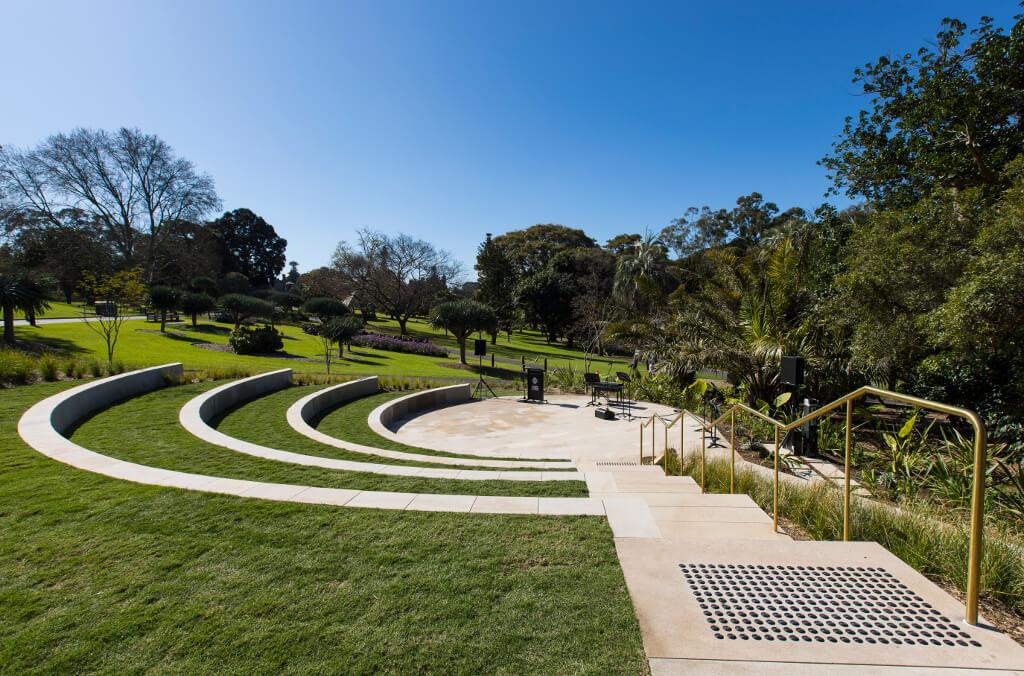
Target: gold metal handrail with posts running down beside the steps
{"points": [[980, 460]]}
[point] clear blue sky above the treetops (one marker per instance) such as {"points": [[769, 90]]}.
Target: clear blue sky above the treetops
{"points": [[450, 120]]}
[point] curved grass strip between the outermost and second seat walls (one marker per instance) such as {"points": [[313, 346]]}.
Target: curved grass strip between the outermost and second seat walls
{"points": [[146, 430]]}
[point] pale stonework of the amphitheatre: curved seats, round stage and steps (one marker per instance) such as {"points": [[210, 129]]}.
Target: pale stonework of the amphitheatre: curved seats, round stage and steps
{"points": [[715, 587]]}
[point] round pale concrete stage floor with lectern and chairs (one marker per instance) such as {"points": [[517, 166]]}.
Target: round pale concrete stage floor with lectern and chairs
{"points": [[565, 428]]}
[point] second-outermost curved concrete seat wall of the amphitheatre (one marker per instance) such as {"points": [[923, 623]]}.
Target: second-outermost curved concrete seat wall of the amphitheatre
{"points": [[197, 414]]}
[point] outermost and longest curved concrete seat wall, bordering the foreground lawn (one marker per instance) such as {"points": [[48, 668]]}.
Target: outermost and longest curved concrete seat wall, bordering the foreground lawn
{"points": [[42, 425]]}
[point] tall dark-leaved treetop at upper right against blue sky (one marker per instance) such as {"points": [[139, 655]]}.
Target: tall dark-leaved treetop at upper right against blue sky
{"points": [[945, 118]]}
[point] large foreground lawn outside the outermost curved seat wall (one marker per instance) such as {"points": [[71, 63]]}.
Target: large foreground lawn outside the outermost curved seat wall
{"points": [[102, 575]]}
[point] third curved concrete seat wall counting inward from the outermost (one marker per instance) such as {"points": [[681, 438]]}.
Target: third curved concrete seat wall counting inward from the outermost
{"points": [[307, 409]]}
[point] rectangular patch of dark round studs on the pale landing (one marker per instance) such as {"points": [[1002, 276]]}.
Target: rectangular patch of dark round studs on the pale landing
{"points": [[812, 604]]}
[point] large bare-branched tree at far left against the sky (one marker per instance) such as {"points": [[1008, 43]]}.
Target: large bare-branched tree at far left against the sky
{"points": [[132, 184]]}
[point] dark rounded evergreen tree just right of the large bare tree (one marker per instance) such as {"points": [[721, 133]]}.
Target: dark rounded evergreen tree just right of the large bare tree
{"points": [[250, 245]]}
